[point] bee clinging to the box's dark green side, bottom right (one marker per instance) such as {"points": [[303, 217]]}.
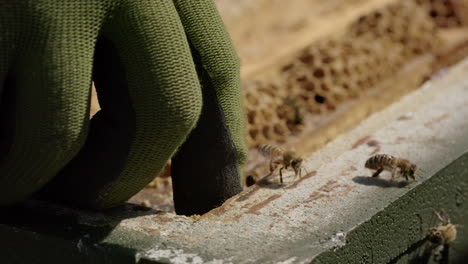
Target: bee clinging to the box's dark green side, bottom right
{"points": [[446, 232]]}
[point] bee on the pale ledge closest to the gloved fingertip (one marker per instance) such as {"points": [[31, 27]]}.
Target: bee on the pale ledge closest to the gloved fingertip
{"points": [[286, 158]]}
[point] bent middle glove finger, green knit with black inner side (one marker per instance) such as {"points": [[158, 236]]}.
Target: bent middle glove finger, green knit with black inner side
{"points": [[150, 98]]}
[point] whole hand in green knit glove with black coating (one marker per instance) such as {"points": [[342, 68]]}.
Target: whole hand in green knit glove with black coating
{"points": [[147, 59]]}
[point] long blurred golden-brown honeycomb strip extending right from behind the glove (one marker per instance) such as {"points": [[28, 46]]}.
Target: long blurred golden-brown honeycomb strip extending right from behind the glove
{"points": [[334, 70]]}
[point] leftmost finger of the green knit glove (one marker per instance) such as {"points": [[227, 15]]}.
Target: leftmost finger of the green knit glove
{"points": [[50, 85]]}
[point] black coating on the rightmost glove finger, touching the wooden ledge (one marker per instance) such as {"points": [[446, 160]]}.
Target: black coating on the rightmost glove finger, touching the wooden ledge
{"points": [[205, 169]]}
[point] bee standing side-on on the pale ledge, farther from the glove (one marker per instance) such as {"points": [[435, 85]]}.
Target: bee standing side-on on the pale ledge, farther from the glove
{"points": [[382, 162]]}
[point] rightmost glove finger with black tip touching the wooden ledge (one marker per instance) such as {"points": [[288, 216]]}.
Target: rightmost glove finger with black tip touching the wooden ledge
{"points": [[216, 148]]}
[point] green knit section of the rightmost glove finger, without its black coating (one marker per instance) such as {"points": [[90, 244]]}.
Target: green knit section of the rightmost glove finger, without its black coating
{"points": [[206, 32]]}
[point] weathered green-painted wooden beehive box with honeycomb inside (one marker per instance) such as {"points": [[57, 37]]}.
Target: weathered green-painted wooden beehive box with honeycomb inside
{"points": [[361, 56]]}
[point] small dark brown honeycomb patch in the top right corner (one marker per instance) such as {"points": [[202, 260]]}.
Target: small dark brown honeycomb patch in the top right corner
{"points": [[447, 13]]}
